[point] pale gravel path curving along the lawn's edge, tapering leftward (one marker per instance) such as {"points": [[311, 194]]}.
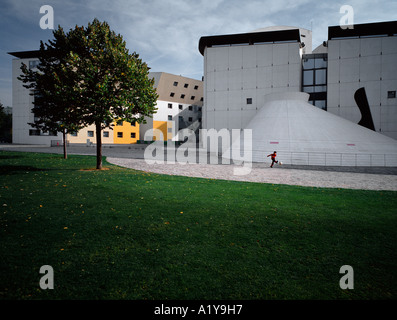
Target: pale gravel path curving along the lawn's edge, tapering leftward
{"points": [[276, 175]]}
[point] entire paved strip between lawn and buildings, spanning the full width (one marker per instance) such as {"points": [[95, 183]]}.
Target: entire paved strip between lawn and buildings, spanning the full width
{"points": [[368, 178]]}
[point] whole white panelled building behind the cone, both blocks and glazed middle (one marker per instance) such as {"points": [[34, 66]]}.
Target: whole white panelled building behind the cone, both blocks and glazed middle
{"points": [[241, 69]]}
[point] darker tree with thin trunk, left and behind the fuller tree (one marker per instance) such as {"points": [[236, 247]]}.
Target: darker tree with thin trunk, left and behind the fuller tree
{"points": [[55, 101]]}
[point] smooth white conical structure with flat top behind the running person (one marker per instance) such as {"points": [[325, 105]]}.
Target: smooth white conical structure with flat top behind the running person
{"points": [[304, 134]]}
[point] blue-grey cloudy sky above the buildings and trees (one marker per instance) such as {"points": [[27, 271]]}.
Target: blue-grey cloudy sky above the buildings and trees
{"points": [[166, 33]]}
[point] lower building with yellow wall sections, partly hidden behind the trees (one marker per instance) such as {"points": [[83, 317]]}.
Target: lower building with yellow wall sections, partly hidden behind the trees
{"points": [[178, 106]]}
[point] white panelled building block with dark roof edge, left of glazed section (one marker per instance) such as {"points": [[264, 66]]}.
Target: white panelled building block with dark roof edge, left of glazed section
{"points": [[239, 70]]}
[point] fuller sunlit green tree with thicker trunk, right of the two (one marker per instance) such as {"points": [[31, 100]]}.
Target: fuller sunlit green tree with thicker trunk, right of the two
{"points": [[113, 85]]}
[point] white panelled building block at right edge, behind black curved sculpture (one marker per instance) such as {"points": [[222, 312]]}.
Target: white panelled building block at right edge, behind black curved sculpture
{"points": [[364, 57]]}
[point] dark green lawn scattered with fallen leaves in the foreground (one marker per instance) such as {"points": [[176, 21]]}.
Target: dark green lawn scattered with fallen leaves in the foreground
{"points": [[125, 234]]}
